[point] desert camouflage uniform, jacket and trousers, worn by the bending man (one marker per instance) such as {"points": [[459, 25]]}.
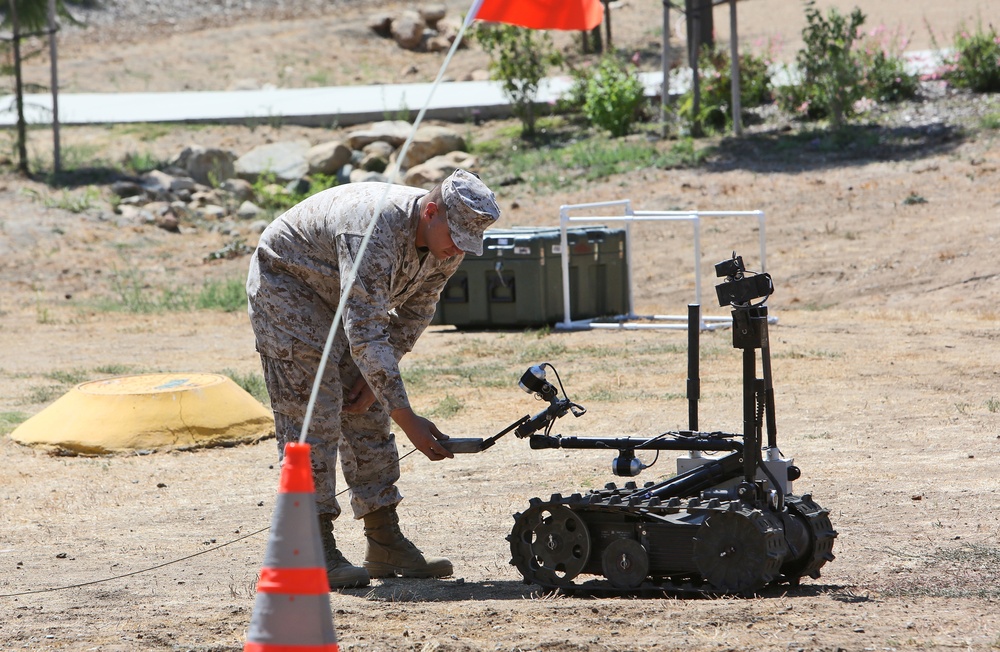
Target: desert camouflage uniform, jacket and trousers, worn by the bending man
{"points": [[294, 287]]}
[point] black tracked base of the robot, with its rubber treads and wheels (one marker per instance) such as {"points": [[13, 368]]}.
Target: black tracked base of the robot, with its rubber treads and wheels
{"points": [[650, 547]]}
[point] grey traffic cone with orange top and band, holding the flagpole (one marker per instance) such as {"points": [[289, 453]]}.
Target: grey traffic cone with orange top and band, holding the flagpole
{"points": [[292, 609]]}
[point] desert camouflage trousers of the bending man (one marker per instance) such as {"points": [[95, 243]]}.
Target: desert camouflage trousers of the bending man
{"points": [[363, 442]]}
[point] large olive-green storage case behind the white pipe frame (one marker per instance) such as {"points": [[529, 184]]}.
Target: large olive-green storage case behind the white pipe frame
{"points": [[517, 282]]}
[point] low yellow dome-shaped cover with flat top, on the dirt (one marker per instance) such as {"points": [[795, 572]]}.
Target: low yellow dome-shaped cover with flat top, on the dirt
{"points": [[149, 412]]}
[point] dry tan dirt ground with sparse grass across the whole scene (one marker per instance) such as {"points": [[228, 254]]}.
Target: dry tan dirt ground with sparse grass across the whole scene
{"points": [[886, 367]]}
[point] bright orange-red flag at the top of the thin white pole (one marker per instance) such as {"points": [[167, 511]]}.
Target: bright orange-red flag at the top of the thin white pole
{"points": [[579, 15]]}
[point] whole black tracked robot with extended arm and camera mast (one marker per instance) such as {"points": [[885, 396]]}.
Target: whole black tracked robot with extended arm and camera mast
{"points": [[725, 524]]}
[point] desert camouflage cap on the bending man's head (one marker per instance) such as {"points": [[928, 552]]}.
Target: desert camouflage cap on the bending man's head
{"points": [[471, 208]]}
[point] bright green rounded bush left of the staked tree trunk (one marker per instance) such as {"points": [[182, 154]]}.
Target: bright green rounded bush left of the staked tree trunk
{"points": [[612, 95]]}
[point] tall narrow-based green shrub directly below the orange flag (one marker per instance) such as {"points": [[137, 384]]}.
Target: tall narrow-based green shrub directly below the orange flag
{"points": [[519, 58]]}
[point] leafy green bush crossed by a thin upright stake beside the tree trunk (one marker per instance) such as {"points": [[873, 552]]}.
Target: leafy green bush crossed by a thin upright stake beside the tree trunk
{"points": [[715, 101]]}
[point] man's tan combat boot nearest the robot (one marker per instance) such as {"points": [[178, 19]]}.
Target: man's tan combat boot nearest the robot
{"points": [[390, 553]]}
